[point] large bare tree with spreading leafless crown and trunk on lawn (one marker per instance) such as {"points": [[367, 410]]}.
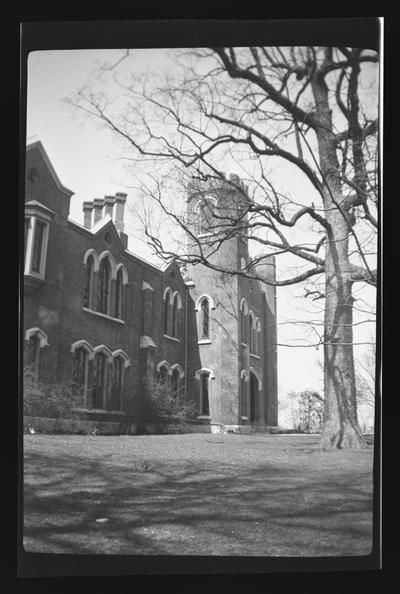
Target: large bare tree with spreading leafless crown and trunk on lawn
{"points": [[312, 109]]}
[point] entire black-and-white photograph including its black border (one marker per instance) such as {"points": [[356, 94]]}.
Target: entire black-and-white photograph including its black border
{"points": [[200, 279]]}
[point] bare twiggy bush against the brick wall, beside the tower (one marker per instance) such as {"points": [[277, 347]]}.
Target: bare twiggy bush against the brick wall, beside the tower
{"points": [[169, 405]]}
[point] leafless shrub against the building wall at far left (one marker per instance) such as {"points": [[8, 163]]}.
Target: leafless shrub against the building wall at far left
{"points": [[52, 401]]}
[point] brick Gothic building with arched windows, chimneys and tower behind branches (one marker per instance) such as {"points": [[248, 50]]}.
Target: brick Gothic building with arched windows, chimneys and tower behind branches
{"points": [[113, 323]]}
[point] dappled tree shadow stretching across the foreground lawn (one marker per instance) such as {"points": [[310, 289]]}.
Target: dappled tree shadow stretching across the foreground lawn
{"points": [[198, 509]]}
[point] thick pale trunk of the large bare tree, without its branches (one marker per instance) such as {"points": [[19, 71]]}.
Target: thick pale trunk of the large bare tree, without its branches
{"points": [[340, 428]]}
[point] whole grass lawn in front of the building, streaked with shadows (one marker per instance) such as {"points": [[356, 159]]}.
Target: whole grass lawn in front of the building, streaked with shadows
{"points": [[199, 494]]}
